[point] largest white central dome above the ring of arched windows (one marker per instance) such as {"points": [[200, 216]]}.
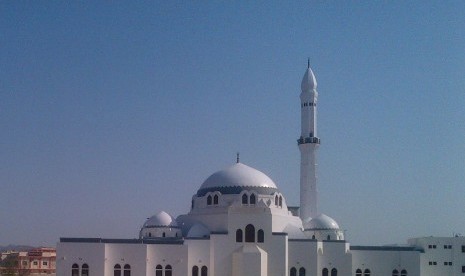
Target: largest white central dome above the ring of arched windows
{"points": [[237, 176]]}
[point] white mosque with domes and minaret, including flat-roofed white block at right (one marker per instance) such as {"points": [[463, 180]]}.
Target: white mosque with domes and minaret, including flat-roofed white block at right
{"points": [[240, 225]]}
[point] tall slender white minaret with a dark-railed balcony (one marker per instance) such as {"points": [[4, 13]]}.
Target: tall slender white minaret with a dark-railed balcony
{"points": [[308, 145]]}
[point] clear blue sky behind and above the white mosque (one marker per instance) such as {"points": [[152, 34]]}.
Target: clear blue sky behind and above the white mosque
{"points": [[113, 111]]}
